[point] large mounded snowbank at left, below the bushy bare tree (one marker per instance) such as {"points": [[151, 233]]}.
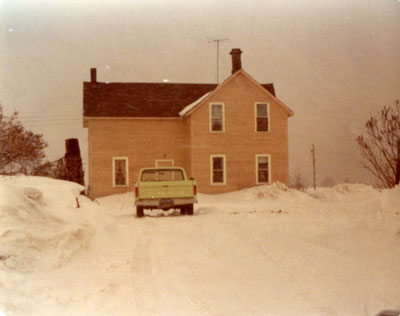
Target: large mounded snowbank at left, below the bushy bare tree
{"points": [[40, 222]]}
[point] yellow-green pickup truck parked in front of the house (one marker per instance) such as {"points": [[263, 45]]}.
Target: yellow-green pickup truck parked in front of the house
{"points": [[164, 188]]}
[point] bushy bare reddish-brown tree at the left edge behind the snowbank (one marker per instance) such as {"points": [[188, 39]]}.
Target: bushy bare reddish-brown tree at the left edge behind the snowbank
{"points": [[21, 151]]}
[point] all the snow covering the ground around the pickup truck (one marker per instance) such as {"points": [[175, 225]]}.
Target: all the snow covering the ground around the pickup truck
{"points": [[268, 250]]}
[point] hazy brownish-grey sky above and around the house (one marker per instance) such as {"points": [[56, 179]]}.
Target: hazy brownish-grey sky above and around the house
{"points": [[333, 62]]}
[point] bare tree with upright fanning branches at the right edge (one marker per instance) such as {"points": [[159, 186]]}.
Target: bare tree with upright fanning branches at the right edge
{"points": [[379, 147]]}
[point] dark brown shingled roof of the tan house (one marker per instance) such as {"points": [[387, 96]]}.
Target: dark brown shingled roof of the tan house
{"points": [[142, 99]]}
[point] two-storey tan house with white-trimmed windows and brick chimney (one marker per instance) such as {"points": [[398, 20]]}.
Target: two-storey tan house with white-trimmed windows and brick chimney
{"points": [[227, 136]]}
